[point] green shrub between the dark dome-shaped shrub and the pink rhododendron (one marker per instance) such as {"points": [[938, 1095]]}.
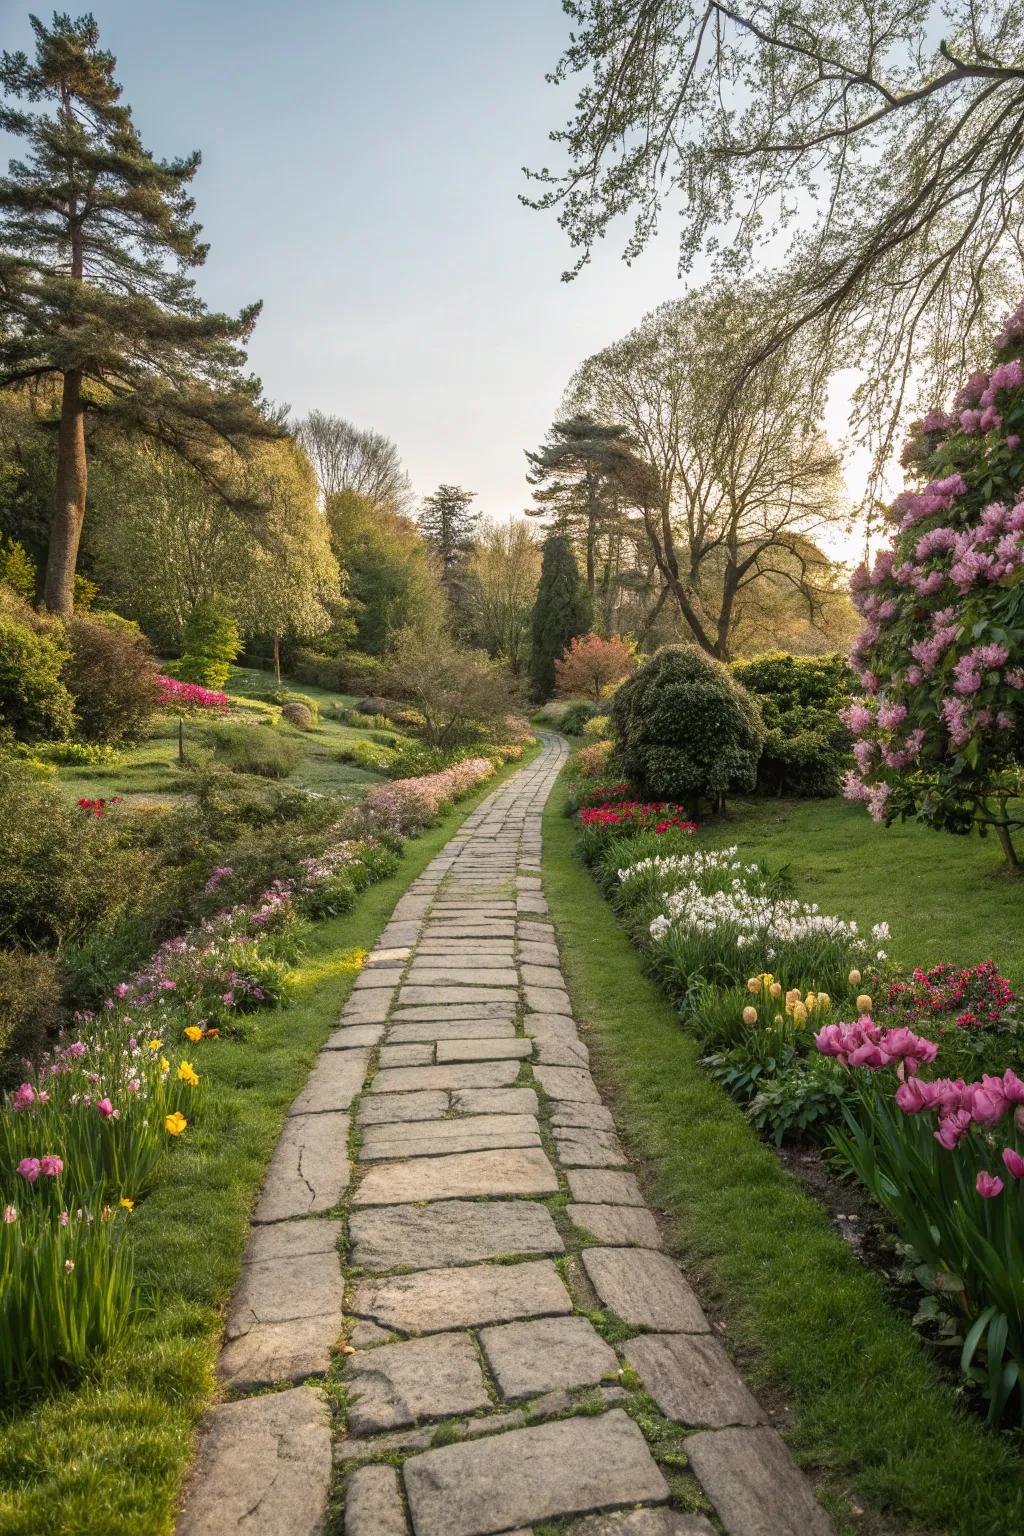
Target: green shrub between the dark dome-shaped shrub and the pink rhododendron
{"points": [[807, 746]]}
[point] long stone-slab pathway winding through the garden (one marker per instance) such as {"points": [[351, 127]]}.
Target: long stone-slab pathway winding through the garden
{"points": [[494, 1231]]}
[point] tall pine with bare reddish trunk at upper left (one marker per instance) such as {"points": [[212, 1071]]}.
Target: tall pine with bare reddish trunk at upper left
{"points": [[96, 242]]}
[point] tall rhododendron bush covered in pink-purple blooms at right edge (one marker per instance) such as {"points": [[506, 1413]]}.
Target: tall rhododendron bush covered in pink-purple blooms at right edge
{"points": [[940, 727]]}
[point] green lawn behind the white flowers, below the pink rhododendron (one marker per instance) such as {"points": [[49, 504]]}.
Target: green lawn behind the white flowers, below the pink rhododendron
{"points": [[943, 898]]}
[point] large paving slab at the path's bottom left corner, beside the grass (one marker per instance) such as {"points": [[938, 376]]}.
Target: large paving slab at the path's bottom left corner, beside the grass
{"points": [[263, 1465]]}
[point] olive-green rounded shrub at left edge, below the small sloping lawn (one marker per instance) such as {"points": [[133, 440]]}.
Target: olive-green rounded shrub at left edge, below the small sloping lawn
{"points": [[64, 872]]}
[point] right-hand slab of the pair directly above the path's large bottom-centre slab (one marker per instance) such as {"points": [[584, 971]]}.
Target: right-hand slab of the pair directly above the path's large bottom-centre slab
{"points": [[547, 1356]]}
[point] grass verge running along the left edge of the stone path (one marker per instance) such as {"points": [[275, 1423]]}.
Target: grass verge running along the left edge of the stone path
{"points": [[108, 1460]]}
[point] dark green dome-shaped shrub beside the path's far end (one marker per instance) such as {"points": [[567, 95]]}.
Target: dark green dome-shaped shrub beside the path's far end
{"points": [[687, 730]]}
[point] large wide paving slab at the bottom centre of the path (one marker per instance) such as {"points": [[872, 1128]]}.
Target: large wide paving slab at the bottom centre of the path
{"points": [[532, 1475]]}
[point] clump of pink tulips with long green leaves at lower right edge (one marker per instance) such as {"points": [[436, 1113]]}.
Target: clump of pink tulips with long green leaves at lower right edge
{"points": [[946, 1160]]}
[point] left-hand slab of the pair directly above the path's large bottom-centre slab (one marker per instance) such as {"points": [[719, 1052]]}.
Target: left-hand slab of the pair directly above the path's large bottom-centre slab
{"points": [[431, 1379]]}
